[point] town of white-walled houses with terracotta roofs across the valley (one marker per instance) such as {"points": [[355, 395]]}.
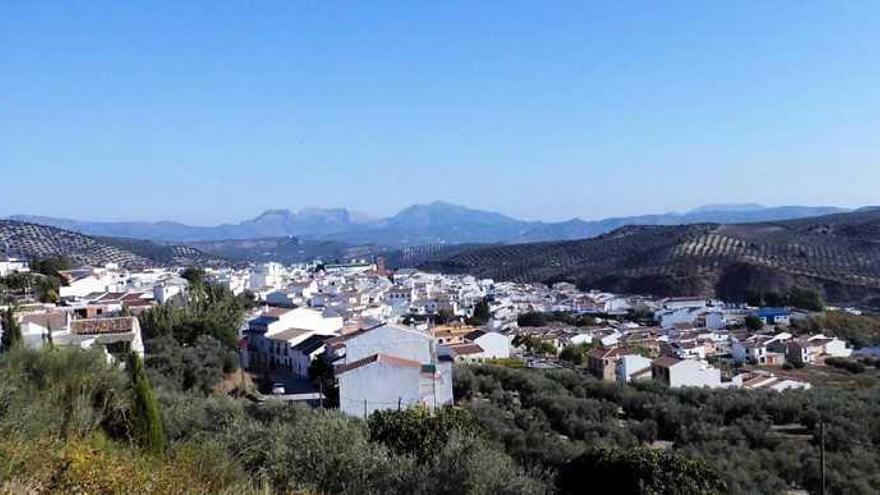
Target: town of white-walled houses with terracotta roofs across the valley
{"points": [[391, 336]]}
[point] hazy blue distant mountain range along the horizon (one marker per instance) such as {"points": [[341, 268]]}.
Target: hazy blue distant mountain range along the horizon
{"points": [[435, 223]]}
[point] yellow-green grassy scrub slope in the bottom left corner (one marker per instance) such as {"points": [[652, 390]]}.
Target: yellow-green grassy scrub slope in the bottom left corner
{"points": [[69, 424]]}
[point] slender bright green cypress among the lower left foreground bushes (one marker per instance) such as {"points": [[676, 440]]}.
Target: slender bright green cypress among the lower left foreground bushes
{"points": [[147, 419]]}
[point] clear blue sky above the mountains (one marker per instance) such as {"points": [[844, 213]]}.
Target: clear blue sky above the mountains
{"points": [[215, 111]]}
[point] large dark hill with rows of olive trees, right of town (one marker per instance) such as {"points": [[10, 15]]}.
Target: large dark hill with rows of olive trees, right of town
{"points": [[838, 254]]}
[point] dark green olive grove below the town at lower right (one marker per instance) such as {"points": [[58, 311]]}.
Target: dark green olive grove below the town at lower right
{"points": [[548, 420]]}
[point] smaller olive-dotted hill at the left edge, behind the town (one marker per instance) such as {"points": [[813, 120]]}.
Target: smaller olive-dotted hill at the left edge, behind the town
{"points": [[30, 240]]}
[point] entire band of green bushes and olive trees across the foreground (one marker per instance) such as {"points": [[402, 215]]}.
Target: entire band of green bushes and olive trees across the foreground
{"points": [[67, 425]]}
